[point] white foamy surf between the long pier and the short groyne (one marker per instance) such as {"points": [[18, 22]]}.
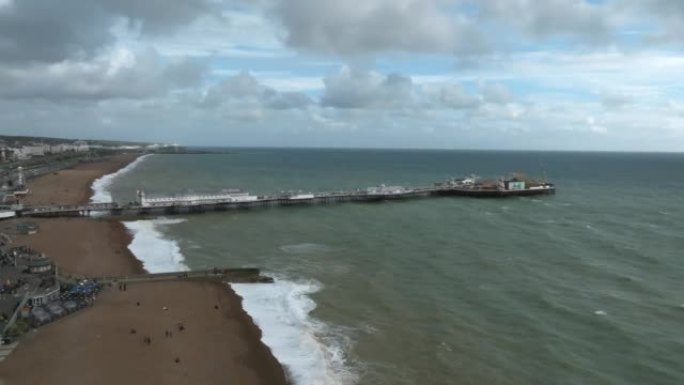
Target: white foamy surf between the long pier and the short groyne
{"points": [[157, 253]]}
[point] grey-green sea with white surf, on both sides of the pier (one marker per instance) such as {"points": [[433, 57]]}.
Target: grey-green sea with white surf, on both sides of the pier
{"points": [[584, 287]]}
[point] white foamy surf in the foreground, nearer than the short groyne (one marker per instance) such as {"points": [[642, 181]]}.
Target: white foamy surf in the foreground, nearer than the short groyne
{"points": [[313, 352]]}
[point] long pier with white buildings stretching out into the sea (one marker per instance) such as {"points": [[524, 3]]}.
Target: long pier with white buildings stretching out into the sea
{"points": [[234, 200]]}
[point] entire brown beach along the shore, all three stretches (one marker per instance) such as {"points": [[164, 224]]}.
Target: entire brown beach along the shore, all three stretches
{"points": [[104, 344]]}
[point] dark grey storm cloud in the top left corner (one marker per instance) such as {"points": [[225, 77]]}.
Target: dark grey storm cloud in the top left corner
{"points": [[50, 31]]}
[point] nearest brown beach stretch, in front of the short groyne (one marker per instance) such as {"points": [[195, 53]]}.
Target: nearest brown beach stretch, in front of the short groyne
{"points": [[216, 346]]}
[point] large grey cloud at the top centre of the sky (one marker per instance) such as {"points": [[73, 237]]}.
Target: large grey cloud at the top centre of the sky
{"points": [[374, 26]]}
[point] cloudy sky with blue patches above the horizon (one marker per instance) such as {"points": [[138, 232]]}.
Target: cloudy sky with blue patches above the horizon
{"points": [[601, 75]]}
